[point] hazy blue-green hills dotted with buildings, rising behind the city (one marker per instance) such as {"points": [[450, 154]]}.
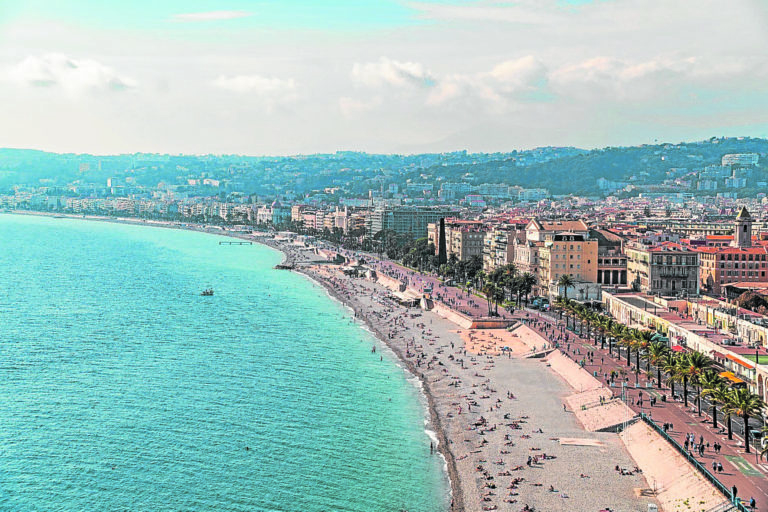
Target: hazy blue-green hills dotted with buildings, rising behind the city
{"points": [[695, 168]]}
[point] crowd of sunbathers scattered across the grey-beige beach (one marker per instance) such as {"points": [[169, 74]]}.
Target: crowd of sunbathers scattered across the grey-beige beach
{"points": [[500, 459]]}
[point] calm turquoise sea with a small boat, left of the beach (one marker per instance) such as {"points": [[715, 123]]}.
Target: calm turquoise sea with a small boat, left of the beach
{"points": [[121, 388]]}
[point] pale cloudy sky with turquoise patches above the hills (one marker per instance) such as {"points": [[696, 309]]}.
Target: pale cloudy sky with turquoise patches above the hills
{"points": [[285, 77]]}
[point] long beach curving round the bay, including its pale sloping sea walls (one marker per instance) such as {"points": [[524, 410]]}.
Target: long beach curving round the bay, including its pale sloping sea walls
{"points": [[517, 432]]}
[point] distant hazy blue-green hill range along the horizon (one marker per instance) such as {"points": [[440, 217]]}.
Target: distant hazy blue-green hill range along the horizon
{"points": [[561, 170]]}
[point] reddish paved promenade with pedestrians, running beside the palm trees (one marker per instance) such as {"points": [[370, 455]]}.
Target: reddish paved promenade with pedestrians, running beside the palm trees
{"points": [[740, 470]]}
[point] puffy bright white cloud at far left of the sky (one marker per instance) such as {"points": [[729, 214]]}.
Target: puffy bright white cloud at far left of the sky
{"points": [[73, 75]]}
